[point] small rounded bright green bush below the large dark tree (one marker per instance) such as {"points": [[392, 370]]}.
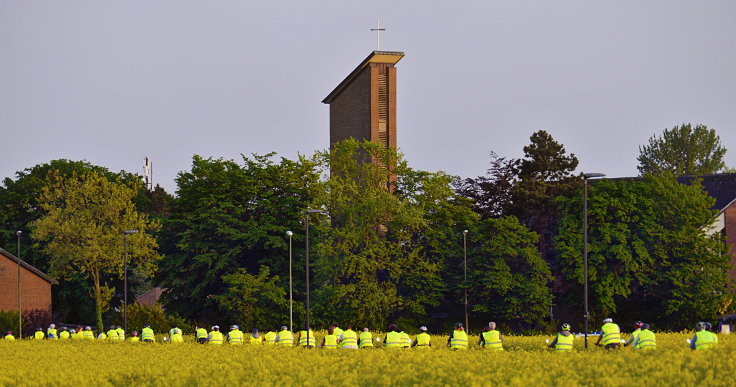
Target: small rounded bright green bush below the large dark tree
{"points": [[254, 300]]}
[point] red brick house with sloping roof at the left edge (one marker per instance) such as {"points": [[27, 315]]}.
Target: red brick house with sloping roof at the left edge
{"points": [[35, 286]]}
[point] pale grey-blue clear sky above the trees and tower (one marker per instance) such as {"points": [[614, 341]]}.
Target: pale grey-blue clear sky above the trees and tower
{"points": [[110, 82]]}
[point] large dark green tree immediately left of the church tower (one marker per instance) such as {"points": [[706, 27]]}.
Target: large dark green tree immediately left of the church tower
{"points": [[229, 216]]}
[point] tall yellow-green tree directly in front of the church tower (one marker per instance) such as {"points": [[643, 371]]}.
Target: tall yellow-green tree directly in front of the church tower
{"points": [[368, 268]]}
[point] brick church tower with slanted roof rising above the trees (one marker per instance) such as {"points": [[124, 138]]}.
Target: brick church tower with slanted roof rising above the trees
{"points": [[363, 105]]}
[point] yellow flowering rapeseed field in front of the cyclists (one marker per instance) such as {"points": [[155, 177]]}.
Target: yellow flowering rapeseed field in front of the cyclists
{"points": [[525, 362]]}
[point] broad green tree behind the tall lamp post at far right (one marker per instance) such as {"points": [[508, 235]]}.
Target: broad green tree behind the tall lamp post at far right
{"points": [[648, 250]]}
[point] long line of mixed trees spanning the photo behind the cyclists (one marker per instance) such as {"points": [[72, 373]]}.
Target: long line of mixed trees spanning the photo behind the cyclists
{"points": [[390, 246]]}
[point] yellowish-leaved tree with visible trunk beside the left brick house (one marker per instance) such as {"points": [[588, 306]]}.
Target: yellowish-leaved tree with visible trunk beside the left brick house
{"points": [[82, 230]]}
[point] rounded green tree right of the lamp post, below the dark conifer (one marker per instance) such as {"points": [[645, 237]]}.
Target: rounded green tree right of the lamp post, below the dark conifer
{"points": [[508, 277]]}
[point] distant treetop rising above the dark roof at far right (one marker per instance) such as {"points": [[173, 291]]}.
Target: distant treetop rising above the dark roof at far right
{"points": [[683, 151]]}
